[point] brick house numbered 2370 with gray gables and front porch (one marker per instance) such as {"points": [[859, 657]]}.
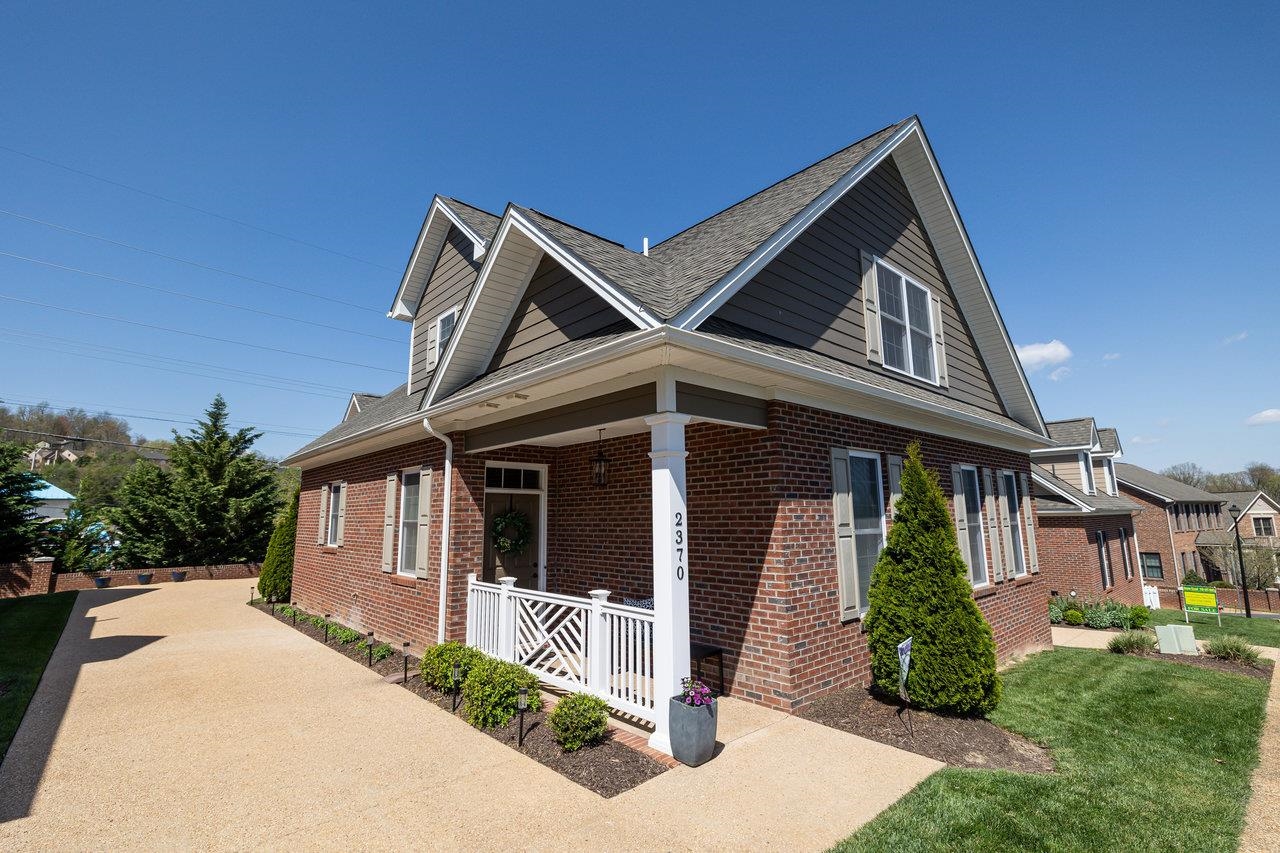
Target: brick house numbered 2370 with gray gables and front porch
{"points": [[602, 458]]}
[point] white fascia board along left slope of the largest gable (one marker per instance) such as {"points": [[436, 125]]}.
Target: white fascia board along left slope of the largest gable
{"points": [[737, 279]]}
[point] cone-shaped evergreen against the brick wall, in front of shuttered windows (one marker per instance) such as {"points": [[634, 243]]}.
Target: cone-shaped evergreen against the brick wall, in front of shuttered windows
{"points": [[921, 590]]}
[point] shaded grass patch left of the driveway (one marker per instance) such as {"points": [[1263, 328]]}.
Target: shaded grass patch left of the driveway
{"points": [[30, 628]]}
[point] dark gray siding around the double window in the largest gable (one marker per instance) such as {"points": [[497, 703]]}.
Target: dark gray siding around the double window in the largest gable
{"points": [[811, 295]]}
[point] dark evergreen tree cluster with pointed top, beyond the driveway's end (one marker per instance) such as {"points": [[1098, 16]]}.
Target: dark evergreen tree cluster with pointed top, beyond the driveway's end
{"points": [[216, 504]]}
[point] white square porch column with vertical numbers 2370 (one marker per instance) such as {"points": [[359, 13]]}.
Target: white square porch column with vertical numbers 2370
{"points": [[670, 568]]}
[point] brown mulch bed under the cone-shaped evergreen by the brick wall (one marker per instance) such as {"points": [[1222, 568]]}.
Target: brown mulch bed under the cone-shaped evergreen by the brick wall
{"points": [[961, 742]]}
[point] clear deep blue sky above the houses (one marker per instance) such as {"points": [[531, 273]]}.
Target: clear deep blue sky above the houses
{"points": [[1116, 166]]}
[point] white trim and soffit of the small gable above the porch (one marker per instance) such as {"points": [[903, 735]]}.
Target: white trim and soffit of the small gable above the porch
{"points": [[513, 221]]}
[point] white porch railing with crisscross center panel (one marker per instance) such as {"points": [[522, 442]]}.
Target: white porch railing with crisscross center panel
{"points": [[582, 645]]}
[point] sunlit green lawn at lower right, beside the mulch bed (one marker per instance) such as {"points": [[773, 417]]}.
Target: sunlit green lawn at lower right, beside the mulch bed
{"points": [[1139, 746]]}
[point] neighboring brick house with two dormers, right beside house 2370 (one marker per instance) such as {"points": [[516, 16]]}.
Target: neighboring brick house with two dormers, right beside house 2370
{"points": [[1085, 528]]}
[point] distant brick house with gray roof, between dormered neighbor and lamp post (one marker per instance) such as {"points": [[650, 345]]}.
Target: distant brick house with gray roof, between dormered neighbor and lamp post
{"points": [[1173, 516]]}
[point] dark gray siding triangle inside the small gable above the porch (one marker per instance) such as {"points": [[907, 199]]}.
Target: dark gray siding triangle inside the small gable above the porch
{"points": [[557, 308]]}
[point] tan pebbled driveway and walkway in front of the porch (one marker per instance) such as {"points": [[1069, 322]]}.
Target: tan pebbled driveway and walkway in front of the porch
{"points": [[177, 718]]}
